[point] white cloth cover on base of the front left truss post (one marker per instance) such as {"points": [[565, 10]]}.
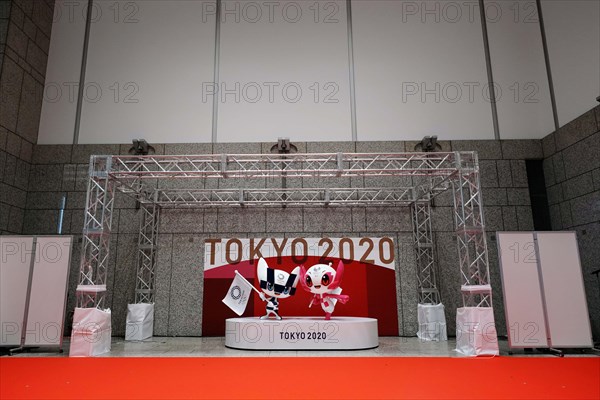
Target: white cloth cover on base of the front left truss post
{"points": [[91, 332]]}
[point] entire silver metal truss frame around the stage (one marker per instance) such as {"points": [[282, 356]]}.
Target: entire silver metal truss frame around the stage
{"points": [[432, 173]]}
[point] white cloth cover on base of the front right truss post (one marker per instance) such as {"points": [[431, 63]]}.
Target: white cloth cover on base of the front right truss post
{"points": [[476, 331]]}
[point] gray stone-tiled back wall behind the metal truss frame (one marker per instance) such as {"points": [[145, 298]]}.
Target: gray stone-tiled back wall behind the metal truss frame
{"points": [[58, 170]]}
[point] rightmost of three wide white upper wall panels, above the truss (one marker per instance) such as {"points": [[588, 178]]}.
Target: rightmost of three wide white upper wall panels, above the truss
{"points": [[420, 70]]}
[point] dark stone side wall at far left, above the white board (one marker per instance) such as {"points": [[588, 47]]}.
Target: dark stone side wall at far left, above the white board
{"points": [[25, 27]]}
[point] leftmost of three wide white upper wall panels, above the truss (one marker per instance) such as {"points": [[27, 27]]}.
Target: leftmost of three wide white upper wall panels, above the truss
{"points": [[147, 62]]}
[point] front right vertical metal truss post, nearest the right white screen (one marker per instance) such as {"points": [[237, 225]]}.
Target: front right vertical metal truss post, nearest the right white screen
{"points": [[470, 233]]}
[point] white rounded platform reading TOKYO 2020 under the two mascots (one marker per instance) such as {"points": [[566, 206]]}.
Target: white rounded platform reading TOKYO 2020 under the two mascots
{"points": [[301, 333]]}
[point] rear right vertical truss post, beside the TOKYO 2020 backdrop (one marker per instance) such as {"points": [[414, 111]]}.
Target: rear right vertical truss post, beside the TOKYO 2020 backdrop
{"points": [[427, 288]]}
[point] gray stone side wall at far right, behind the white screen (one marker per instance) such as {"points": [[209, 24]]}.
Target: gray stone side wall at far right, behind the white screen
{"points": [[572, 172]]}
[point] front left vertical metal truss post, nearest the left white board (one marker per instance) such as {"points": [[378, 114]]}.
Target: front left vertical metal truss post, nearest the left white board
{"points": [[97, 226]]}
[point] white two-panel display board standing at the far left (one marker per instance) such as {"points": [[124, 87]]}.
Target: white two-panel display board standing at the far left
{"points": [[34, 273]]}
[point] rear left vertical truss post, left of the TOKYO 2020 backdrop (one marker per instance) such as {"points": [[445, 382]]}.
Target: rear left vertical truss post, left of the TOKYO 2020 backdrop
{"points": [[146, 260]]}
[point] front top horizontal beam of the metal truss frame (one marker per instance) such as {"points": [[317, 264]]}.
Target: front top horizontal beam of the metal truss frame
{"points": [[292, 165]]}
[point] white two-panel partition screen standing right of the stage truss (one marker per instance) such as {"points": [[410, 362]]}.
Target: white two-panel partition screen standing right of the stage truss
{"points": [[544, 295]]}
